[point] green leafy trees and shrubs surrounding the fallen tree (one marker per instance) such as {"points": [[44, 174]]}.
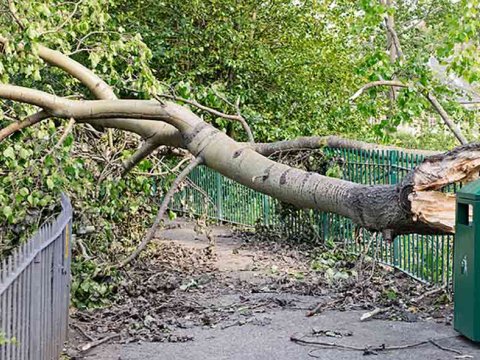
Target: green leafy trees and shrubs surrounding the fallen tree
{"points": [[291, 65]]}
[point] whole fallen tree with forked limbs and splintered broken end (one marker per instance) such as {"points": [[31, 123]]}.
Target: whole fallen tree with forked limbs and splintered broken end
{"points": [[415, 205]]}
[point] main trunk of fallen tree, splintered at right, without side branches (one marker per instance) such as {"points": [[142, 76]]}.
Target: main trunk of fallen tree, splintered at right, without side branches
{"points": [[409, 207]]}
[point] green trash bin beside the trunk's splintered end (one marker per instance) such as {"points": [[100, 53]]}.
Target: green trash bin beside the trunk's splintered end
{"points": [[466, 281]]}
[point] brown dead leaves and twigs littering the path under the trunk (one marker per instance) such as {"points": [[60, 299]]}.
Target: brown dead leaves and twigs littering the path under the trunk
{"points": [[173, 287]]}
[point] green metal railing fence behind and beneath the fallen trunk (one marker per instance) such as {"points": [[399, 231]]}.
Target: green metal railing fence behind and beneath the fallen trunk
{"points": [[427, 258]]}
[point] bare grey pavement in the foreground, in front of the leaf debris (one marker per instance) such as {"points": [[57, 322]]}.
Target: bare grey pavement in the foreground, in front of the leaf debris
{"points": [[272, 341]]}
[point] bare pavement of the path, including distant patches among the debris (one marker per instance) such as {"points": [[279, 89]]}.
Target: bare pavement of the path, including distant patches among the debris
{"points": [[267, 335]]}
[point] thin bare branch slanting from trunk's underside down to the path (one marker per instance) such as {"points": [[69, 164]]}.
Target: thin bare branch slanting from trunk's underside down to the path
{"points": [[163, 207]]}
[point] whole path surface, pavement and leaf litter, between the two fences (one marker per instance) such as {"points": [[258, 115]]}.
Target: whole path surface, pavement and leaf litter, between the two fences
{"points": [[214, 293]]}
